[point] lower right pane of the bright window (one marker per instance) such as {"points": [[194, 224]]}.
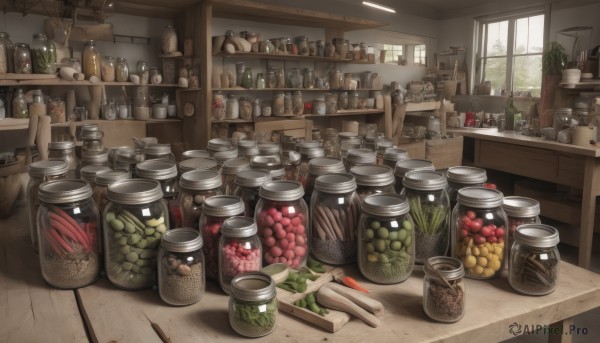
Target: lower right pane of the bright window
{"points": [[527, 75]]}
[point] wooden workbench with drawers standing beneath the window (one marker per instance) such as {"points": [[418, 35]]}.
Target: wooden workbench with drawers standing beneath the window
{"points": [[563, 164]]}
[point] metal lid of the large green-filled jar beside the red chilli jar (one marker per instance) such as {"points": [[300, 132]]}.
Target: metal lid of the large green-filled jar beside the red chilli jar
{"points": [[134, 191]]}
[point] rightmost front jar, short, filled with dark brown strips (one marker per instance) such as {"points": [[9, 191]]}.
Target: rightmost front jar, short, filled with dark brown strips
{"points": [[534, 262]]}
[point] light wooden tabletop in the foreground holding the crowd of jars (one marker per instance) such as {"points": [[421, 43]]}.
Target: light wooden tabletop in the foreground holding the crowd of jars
{"points": [[33, 312]]}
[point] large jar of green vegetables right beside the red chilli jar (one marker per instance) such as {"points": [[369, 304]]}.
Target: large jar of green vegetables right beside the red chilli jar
{"points": [[134, 222]]}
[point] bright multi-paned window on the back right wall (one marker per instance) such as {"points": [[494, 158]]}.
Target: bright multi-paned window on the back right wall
{"points": [[510, 51]]}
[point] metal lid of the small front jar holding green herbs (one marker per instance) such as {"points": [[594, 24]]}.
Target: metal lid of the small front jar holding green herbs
{"points": [[253, 286]]}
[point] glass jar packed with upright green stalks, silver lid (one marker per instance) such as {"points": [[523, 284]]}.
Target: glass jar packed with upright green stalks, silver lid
{"points": [[430, 209]]}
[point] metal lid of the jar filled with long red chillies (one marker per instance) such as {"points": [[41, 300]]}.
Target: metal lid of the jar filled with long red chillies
{"points": [[64, 191]]}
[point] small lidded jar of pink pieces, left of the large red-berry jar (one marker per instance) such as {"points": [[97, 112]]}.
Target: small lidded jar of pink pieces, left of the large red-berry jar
{"points": [[240, 250]]}
